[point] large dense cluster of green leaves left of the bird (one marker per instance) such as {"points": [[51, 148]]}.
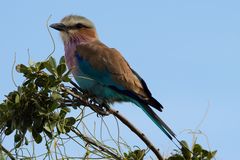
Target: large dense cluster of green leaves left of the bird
{"points": [[32, 107]]}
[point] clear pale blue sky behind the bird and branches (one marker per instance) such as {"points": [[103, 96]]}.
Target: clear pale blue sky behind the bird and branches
{"points": [[187, 51]]}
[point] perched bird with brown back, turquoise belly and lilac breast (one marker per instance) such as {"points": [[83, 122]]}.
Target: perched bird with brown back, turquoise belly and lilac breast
{"points": [[103, 72]]}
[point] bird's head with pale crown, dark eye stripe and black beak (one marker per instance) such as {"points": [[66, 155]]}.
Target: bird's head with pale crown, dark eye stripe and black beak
{"points": [[76, 29]]}
